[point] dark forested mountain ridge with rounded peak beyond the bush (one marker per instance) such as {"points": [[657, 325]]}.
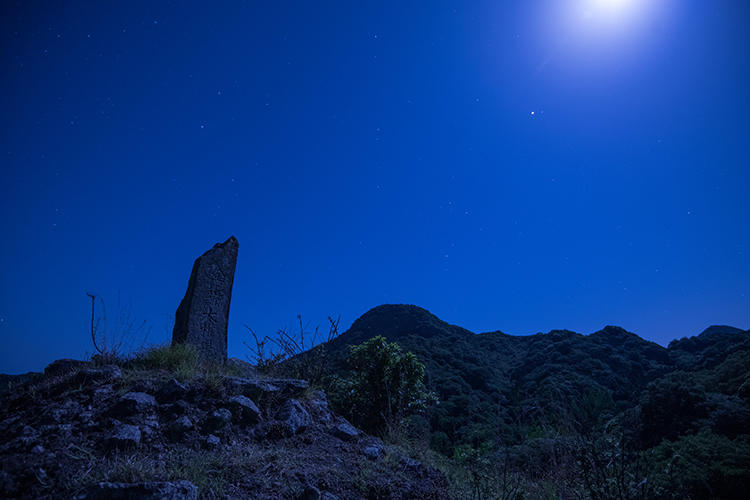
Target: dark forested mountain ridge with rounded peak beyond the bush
{"points": [[499, 388]]}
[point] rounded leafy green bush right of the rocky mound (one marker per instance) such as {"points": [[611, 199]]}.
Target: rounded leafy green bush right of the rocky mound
{"points": [[384, 385]]}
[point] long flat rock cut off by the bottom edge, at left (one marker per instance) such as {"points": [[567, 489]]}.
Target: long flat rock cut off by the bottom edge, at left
{"points": [[172, 490]]}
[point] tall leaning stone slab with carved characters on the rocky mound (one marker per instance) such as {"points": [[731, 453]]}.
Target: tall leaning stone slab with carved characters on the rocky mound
{"points": [[202, 317]]}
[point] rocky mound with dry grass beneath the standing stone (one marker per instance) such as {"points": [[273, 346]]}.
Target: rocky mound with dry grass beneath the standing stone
{"points": [[162, 427]]}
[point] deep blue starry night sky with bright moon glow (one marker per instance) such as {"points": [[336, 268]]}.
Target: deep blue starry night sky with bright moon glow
{"points": [[375, 152]]}
